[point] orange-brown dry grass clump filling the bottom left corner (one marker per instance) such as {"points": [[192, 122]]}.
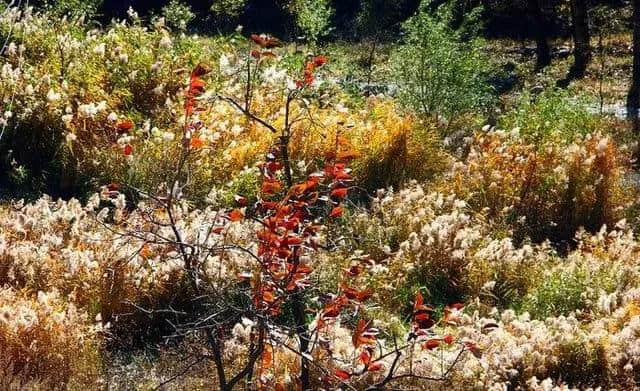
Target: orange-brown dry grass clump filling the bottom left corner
{"points": [[47, 341]]}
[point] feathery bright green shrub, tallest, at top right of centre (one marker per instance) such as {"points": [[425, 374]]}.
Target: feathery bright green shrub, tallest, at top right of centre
{"points": [[438, 74]]}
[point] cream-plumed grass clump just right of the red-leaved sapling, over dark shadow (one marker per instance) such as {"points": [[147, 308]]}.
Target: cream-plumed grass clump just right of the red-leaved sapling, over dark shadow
{"points": [[431, 240]]}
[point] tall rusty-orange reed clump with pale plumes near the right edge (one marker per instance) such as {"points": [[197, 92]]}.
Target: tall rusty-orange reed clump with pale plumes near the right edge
{"points": [[545, 191]]}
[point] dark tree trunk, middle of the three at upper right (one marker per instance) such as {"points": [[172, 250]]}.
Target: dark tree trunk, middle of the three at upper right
{"points": [[582, 49]]}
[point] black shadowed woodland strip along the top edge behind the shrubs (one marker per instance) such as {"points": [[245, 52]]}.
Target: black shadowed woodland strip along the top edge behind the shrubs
{"points": [[501, 18]]}
